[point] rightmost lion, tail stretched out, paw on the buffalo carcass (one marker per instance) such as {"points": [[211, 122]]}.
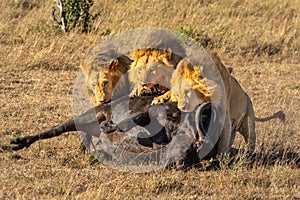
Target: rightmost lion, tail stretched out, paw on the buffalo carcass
{"points": [[188, 89]]}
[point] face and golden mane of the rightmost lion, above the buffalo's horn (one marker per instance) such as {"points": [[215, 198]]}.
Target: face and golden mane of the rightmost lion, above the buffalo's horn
{"points": [[188, 87]]}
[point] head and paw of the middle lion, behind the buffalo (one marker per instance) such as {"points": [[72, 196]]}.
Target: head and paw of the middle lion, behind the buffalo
{"points": [[146, 62]]}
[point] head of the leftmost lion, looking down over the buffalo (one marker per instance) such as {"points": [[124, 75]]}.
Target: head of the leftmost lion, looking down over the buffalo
{"points": [[101, 79]]}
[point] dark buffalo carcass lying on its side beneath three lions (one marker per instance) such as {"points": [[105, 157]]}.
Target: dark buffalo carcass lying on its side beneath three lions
{"points": [[162, 125]]}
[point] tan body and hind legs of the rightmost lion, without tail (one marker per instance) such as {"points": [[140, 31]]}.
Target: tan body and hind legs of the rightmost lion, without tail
{"points": [[239, 110]]}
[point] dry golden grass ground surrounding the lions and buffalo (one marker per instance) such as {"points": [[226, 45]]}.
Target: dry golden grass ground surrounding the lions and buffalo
{"points": [[39, 64]]}
